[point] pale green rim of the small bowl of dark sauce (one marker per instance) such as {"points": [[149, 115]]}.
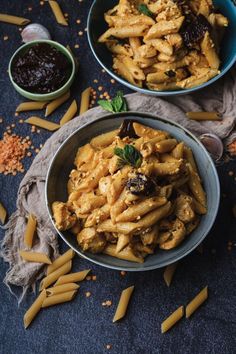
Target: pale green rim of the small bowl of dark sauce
{"points": [[32, 43]]}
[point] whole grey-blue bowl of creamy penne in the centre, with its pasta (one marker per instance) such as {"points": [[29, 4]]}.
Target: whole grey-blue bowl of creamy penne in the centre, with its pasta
{"points": [[131, 191]]}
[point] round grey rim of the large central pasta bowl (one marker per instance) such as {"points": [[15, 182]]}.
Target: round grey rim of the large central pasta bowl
{"points": [[141, 115]]}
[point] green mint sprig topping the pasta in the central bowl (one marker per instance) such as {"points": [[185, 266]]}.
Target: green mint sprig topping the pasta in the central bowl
{"points": [[128, 156]]}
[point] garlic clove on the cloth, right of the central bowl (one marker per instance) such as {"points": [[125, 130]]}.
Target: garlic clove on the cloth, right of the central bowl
{"points": [[213, 144]]}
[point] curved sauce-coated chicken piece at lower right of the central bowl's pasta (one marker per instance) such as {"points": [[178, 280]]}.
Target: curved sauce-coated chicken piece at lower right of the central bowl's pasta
{"points": [[177, 234]]}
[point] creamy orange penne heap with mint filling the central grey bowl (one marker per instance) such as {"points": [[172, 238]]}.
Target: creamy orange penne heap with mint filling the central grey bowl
{"points": [[132, 190]]}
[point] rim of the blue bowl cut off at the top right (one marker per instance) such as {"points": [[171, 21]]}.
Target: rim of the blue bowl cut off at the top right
{"points": [[144, 90]]}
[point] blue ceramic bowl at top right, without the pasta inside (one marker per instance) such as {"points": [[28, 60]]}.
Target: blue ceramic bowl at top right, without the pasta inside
{"points": [[96, 26]]}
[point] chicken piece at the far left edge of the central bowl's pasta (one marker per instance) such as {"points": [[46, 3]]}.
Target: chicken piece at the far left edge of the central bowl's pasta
{"points": [[63, 216]]}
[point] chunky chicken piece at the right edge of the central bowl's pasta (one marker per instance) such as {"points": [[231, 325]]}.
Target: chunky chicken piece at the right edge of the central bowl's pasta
{"points": [[184, 208]]}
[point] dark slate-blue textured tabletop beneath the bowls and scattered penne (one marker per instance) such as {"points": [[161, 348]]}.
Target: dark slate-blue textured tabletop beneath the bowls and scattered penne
{"points": [[85, 326]]}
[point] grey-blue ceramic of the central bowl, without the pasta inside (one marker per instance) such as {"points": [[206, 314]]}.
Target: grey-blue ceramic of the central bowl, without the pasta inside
{"points": [[62, 164]]}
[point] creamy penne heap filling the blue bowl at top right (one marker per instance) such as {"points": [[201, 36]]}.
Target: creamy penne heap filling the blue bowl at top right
{"points": [[164, 45]]}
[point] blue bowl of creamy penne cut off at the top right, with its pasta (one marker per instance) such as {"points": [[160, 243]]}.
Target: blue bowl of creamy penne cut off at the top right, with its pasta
{"points": [[164, 47]]}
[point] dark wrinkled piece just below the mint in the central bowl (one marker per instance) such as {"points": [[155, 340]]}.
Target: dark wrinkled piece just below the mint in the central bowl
{"points": [[141, 185]]}
